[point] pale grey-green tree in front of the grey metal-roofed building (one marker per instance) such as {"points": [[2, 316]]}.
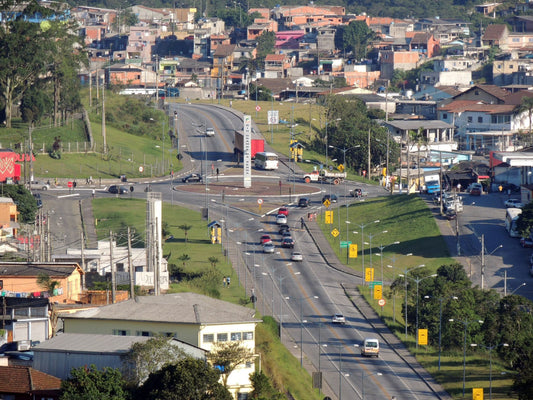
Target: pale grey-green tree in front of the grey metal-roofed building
{"points": [[145, 358]]}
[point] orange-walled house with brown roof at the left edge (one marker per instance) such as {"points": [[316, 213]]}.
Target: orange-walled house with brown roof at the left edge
{"points": [[20, 280]]}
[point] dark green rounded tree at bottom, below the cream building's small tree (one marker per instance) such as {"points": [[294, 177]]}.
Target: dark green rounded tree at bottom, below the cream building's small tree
{"points": [[188, 379]]}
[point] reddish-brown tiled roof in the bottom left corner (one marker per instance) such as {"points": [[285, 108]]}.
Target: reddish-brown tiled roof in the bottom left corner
{"points": [[16, 379]]}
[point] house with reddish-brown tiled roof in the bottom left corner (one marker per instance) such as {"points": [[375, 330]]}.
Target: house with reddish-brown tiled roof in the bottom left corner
{"points": [[25, 383]]}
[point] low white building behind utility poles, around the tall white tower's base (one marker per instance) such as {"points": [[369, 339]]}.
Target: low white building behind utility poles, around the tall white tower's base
{"points": [[99, 260]]}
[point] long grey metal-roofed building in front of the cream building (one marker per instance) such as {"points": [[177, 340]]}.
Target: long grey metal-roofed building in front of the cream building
{"points": [[60, 354]]}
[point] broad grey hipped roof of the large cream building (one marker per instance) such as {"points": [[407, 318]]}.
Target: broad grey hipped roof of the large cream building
{"points": [[185, 308]]}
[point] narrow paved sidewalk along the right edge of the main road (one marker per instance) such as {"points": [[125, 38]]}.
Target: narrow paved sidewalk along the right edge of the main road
{"points": [[368, 312]]}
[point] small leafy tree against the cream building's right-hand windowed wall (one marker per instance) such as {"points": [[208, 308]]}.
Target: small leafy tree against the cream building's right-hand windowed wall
{"points": [[227, 356]]}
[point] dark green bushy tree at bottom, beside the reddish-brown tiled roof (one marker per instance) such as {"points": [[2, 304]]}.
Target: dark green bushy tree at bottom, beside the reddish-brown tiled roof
{"points": [[92, 384]]}
